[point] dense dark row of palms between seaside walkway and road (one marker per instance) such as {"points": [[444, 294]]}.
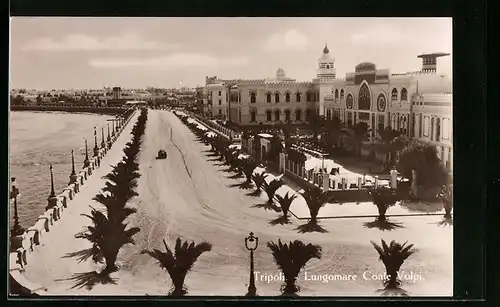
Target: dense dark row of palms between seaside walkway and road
{"points": [[108, 232]]}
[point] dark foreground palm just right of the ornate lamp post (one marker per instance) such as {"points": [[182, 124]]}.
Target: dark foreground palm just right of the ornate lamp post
{"points": [[290, 259]]}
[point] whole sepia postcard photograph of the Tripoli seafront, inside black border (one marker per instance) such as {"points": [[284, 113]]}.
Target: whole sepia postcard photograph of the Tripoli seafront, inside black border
{"points": [[230, 156]]}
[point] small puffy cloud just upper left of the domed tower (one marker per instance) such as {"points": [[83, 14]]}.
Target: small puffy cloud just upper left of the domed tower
{"points": [[377, 35]]}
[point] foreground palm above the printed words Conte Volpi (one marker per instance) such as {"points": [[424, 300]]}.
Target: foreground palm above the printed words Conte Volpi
{"points": [[393, 256]]}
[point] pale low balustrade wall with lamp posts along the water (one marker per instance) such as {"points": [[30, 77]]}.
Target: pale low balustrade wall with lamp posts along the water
{"points": [[21, 246]]}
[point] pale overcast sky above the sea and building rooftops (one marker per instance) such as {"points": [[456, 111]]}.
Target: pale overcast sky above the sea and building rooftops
{"points": [[73, 52]]}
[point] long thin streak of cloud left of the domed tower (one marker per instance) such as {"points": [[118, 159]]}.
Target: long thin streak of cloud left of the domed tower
{"points": [[172, 61]]}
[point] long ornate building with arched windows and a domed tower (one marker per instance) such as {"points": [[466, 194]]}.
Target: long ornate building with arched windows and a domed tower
{"points": [[418, 104]]}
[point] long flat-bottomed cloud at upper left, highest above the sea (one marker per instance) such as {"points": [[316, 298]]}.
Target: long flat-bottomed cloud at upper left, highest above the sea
{"points": [[82, 42]]}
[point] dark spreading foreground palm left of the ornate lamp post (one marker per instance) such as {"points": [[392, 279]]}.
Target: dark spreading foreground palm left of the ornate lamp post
{"points": [[179, 261]]}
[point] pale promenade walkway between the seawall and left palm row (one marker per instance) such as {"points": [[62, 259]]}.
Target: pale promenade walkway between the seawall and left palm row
{"points": [[49, 264]]}
